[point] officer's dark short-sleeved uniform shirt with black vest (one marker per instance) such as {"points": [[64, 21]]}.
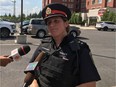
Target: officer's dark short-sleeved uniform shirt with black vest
{"points": [[78, 66]]}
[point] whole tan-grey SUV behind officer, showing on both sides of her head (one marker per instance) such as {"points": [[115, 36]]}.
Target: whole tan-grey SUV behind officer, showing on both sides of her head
{"points": [[38, 27]]}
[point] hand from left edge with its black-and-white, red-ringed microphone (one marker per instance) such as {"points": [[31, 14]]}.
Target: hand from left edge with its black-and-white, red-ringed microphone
{"points": [[15, 55]]}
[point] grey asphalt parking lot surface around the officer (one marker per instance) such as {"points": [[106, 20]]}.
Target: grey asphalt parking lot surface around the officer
{"points": [[102, 44]]}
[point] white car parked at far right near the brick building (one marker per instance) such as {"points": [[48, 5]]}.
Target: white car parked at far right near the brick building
{"points": [[105, 25]]}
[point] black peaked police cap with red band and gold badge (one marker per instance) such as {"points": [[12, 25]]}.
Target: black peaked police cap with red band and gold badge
{"points": [[56, 9]]}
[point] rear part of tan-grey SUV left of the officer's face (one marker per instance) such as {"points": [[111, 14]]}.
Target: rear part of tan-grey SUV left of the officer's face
{"points": [[37, 27]]}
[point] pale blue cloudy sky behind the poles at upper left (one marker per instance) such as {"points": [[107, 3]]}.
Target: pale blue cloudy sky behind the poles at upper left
{"points": [[29, 6]]}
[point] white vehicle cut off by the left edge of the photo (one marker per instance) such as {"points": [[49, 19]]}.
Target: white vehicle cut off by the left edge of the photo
{"points": [[7, 28]]}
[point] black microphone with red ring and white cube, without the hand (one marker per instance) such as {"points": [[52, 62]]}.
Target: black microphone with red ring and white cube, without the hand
{"points": [[18, 52]]}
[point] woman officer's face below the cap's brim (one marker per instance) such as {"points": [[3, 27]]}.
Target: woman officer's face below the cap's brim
{"points": [[57, 27]]}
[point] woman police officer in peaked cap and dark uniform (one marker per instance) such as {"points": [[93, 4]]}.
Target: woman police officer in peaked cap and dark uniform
{"points": [[69, 62]]}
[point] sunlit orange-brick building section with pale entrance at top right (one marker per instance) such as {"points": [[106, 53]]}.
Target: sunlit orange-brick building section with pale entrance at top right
{"points": [[96, 8]]}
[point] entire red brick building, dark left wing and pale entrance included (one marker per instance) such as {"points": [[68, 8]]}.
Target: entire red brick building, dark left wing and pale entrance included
{"points": [[91, 9]]}
